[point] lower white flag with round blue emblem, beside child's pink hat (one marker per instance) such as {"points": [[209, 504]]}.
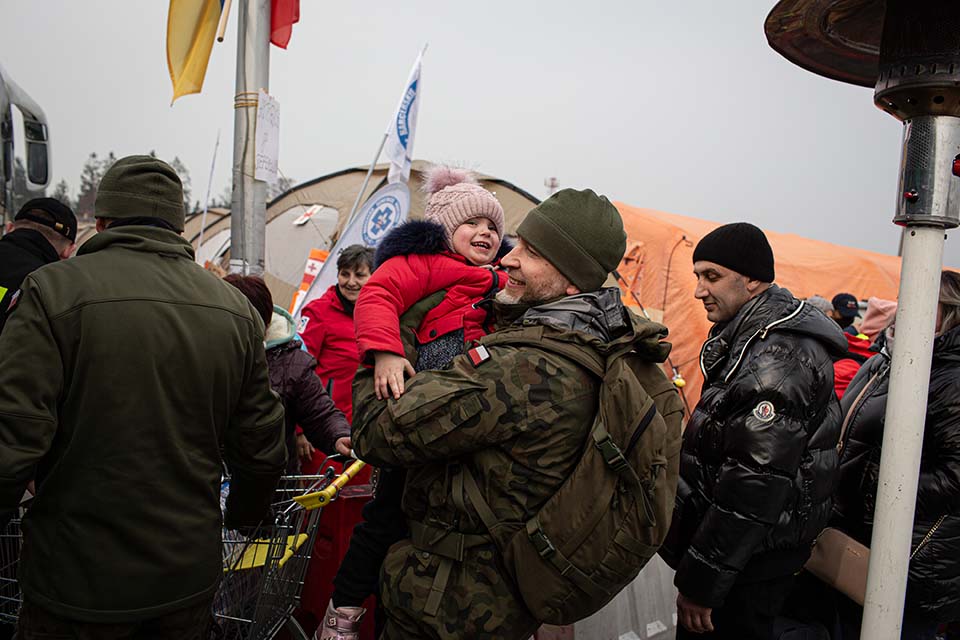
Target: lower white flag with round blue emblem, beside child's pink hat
{"points": [[383, 211]]}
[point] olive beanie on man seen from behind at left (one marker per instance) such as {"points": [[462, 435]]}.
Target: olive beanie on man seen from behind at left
{"points": [[141, 187]]}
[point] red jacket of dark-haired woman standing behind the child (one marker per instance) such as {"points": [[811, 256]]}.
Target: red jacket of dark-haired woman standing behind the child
{"points": [[327, 330]]}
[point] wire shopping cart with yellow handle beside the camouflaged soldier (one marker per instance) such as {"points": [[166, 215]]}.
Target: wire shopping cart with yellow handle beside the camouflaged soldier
{"points": [[264, 570]]}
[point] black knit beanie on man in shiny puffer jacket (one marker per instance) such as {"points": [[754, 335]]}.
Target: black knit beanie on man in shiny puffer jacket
{"points": [[739, 246]]}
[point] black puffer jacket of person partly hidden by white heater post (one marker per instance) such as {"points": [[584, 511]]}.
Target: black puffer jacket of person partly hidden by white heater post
{"points": [[934, 585]]}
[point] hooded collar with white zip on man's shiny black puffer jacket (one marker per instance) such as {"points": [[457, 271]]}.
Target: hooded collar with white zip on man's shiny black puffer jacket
{"points": [[774, 310]]}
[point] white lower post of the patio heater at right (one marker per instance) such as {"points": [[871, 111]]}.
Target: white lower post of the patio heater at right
{"points": [[903, 433]]}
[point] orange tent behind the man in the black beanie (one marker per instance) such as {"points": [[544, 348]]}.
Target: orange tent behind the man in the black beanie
{"points": [[658, 271]]}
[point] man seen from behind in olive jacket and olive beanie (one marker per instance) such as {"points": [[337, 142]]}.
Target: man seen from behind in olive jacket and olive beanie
{"points": [[124, 373]]}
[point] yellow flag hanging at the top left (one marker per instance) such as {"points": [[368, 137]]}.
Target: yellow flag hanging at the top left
{"points": [[191, 28]]}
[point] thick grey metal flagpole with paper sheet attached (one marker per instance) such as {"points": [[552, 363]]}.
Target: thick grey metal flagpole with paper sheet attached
{"points": [[248, 204]]}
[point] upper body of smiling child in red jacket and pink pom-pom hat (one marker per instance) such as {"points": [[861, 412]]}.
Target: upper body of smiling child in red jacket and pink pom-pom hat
{"points": [[451, 250]]}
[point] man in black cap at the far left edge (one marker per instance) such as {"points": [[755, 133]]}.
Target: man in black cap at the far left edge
{"points": [[42, 232]]}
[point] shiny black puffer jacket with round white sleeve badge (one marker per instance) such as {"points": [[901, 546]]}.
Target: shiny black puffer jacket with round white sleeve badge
{"points": [[759, 454]]}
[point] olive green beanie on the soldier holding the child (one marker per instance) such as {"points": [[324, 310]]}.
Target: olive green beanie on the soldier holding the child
{"points": [[580, 233]]}
